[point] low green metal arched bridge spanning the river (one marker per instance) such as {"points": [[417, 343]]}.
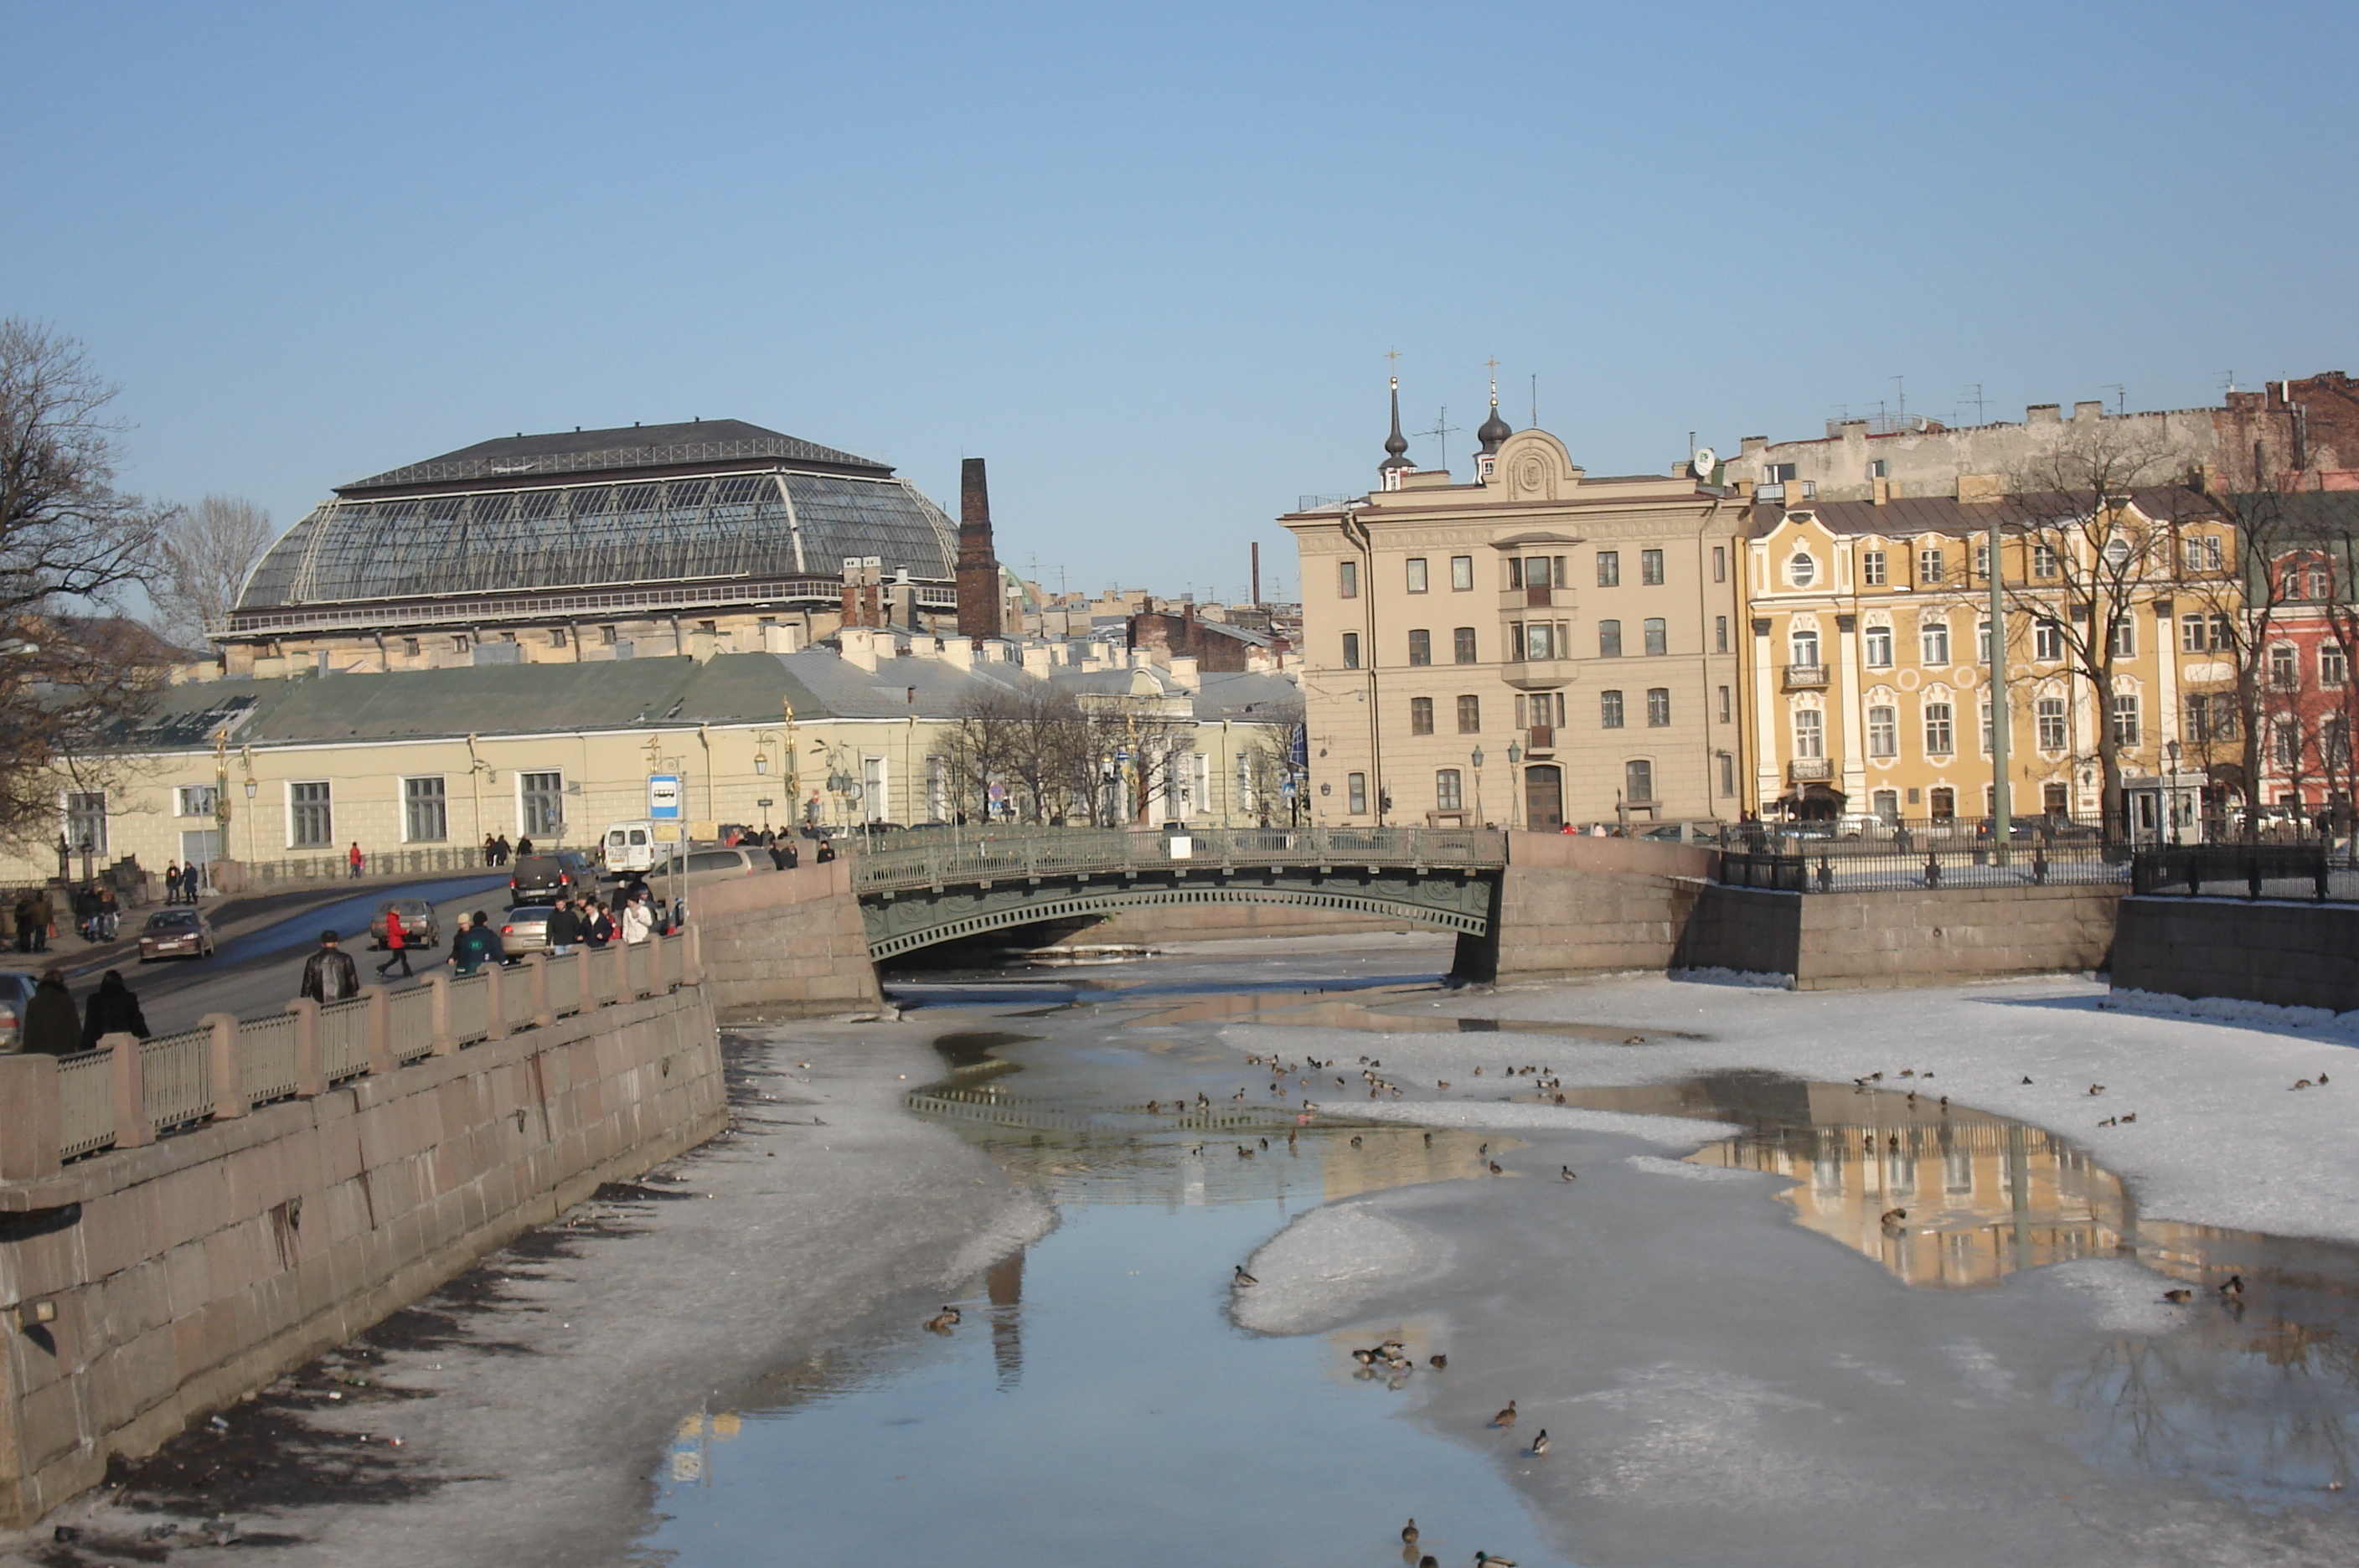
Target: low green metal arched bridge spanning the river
{"points": [[916, 895]]}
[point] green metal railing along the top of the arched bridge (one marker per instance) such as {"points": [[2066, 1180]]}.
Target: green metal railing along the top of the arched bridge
{"points": [[1046, 852]]}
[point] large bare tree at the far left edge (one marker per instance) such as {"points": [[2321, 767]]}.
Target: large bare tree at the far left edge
{"points": [[72, 671]]}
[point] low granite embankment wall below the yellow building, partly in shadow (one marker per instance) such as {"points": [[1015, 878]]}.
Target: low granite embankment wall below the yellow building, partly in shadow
{"points": [[1903, 937]]}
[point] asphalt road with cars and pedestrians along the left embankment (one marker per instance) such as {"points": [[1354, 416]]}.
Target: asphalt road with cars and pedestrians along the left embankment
{"points": [[261, 970]]}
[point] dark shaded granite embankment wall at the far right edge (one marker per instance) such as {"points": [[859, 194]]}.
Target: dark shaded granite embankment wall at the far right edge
{"points": [[2285, 954]]}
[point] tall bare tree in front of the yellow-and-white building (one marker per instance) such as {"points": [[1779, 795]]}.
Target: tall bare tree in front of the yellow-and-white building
{"points": [[2098, 558]]}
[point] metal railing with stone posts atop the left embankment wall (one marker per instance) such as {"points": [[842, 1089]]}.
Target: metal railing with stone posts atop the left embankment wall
{"points": [[303, 1050]]}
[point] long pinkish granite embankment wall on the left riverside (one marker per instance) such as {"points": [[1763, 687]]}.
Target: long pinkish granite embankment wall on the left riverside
{"points": [[162, 1279]]}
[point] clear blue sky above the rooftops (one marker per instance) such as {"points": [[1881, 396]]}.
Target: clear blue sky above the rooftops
{"points": [[1148, 261]]}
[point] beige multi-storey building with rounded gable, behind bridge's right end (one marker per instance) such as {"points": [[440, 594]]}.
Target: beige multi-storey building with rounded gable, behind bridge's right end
{"points": [[1535, 647]]}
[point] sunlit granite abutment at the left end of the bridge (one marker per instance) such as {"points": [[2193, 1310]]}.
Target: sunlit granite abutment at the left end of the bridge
{"points": [[787, 944]]}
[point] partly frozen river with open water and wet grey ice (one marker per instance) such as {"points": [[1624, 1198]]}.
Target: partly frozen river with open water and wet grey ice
{"points": [[1749, 1366]]}
